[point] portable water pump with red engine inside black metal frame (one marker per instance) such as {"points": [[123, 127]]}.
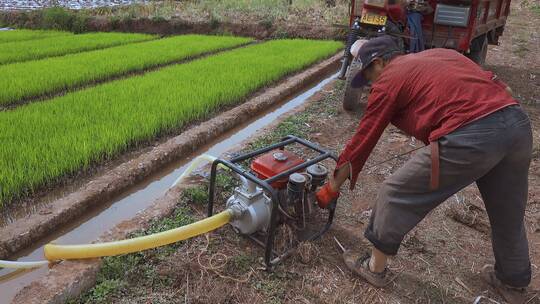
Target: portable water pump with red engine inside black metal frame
{"points": [[278, 189]]}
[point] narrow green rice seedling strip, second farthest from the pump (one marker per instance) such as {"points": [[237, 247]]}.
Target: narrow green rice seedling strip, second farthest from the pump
{"points": [[55, 46]]}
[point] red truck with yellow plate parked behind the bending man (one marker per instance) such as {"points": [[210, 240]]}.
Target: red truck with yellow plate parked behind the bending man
{"points": [[467, 26]]}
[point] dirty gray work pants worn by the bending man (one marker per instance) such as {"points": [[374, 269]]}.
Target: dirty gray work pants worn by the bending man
{"points": [[494, 152]]}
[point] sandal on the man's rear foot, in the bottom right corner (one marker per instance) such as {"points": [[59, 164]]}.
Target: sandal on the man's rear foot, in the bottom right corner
{"points": [[510, 294]]}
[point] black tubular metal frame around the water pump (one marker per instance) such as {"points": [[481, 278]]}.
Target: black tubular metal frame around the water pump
{"points": [[271, 258]]}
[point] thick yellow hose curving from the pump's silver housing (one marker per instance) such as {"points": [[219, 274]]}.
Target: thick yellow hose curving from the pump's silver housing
{"points": [[66, 252]]}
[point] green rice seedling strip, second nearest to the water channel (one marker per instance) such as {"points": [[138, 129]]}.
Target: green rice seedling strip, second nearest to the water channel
{"points": [[41, 77]]}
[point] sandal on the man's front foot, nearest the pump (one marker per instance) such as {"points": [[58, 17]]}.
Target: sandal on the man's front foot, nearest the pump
{"points": [[360, 266]]}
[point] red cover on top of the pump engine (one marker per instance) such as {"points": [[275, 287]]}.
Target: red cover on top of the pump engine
{"points": [[274, 162]]}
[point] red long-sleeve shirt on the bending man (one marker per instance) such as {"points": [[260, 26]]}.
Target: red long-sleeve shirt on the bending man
{"points": [[427, 95]]}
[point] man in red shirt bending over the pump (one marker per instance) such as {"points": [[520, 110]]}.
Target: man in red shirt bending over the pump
{"points": [[474, 131]]}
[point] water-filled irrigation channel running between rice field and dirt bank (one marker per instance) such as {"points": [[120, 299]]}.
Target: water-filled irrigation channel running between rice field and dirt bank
{"points": [[139, 197]]}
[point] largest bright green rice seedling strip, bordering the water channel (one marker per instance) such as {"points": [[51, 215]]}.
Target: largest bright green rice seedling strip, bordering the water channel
{"points": [[44, 141]]}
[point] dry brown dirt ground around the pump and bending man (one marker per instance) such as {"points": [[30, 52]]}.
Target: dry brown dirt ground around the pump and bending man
{"points": [[438, 262]]}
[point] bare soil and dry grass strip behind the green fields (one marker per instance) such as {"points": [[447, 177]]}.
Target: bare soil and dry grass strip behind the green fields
{"points": [[316, 19]]}
